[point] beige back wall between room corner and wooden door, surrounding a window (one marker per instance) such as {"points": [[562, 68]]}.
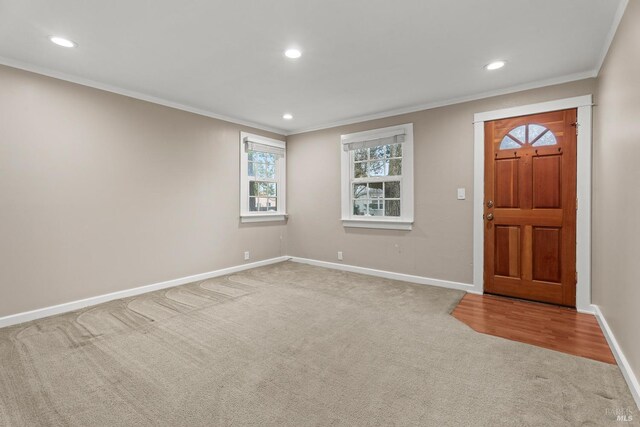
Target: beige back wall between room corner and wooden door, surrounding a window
{"points": [[440, 244]]}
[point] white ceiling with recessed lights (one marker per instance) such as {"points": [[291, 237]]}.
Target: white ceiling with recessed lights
{"points": [[361, 58]]}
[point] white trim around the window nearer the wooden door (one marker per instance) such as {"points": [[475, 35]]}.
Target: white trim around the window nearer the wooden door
{"points": [[405, 221]]}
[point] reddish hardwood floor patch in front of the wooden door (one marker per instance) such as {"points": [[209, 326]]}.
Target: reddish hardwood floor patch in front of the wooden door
{"points": [[553, 327]]}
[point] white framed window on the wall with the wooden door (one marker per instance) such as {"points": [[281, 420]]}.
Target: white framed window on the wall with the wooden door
{"points": [[377, 178]]}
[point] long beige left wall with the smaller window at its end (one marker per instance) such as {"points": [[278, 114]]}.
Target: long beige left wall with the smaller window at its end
{"points": [[100, 193]]}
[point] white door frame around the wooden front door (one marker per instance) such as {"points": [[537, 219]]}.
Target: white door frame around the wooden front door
{"points": [[584, 170]]}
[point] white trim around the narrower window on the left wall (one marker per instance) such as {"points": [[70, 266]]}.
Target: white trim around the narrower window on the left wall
{"points": [[247, 216]]}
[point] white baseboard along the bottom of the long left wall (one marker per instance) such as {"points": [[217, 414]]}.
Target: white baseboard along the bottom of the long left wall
{"points": [[75, 305]]}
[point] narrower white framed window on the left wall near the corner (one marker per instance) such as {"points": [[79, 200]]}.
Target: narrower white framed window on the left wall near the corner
{"points": [[262, 178]]}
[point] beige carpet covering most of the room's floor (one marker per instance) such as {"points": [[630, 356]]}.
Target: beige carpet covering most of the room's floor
{"points": [[292, 345]]}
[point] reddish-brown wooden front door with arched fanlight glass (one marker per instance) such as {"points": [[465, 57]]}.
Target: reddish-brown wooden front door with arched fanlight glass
{"points": [[530, 207]]}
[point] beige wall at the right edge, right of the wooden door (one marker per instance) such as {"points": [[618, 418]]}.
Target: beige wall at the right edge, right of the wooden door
{"points": [[616, 197]]}
